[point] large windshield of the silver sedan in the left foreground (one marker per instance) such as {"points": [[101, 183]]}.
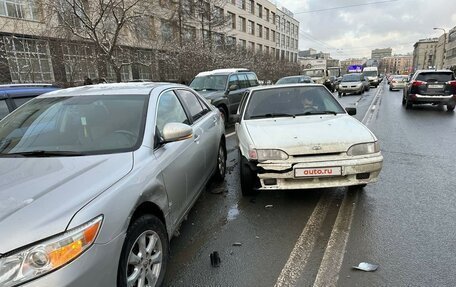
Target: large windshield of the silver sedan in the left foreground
{"points": [[75, 125]]}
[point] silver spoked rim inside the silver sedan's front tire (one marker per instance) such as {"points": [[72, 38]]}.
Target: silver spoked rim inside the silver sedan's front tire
{"points": [[145, 260]]}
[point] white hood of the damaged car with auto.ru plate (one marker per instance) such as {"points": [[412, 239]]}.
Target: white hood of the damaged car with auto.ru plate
{"points": [[308, 134]]}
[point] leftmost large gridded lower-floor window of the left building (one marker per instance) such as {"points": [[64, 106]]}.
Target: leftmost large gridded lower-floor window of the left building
{"points": [[29, 60]]}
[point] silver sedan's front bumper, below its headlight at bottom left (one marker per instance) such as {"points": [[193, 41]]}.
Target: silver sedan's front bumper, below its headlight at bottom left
{"points": [[95, 267]]}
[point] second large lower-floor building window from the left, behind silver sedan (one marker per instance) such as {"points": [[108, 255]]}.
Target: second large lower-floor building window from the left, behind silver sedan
{"points": [[79, 62]]}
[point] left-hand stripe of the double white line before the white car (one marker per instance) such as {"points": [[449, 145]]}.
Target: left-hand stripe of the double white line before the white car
{"points": [[305, 243]]}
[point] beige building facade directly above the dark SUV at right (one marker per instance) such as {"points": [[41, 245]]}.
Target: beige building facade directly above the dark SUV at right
{"points": [[424, 54]]}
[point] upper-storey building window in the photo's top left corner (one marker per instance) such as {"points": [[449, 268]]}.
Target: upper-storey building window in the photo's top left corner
{"points": [[24, 9]]}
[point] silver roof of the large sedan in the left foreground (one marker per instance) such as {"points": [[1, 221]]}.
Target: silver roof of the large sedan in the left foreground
{"points": [[139, 88]]}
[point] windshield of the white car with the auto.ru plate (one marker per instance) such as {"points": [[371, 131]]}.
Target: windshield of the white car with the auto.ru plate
{"points": [[291, 102]]}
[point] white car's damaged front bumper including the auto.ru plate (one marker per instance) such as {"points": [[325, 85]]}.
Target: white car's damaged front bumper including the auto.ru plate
{"points": [[314, 173]]}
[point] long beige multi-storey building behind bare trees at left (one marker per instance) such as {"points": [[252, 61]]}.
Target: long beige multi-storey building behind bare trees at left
{"points": [[31, 52]]}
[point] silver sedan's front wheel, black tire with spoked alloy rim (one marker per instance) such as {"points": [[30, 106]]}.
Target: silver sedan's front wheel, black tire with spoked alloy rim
{"points": [[146, 227]]}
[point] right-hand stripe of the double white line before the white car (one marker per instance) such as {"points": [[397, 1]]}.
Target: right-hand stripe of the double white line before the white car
{"points": [[328, 273]]}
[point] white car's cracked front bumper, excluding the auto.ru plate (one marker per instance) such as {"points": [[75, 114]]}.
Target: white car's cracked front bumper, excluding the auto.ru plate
{"points": [[353, 172]]}
